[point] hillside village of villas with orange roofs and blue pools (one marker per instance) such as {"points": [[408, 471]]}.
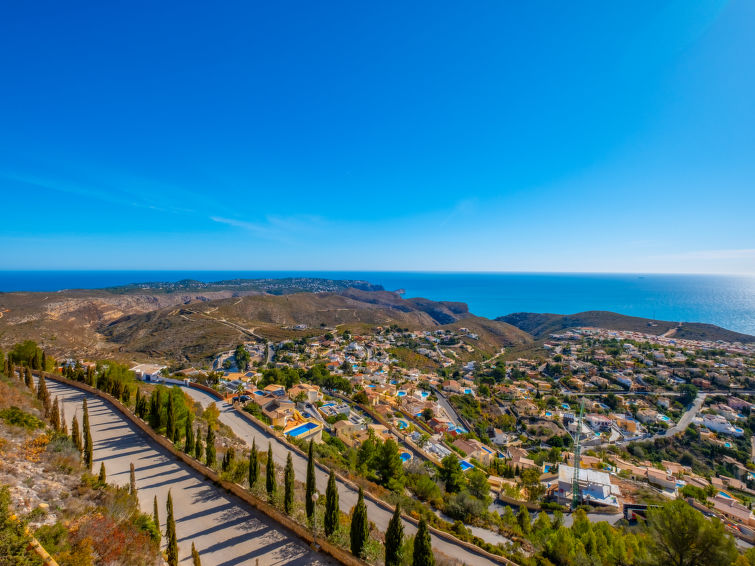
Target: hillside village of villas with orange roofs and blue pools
{"points": [[625, 394]]}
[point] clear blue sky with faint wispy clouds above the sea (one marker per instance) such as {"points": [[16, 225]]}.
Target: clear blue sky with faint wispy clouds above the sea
{"points": [[443, 135]]}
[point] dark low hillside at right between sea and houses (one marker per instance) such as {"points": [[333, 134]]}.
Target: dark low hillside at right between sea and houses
{"points": [[541, 324]]}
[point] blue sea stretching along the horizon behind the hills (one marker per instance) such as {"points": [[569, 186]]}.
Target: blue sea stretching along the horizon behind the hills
{"points": [[727, 301]]}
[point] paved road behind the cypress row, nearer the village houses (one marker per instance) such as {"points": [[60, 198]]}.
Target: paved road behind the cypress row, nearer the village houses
{"points": [[246, 431]]}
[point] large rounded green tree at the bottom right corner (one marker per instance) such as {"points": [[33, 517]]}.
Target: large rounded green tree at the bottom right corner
{"points": [[681, 536]]}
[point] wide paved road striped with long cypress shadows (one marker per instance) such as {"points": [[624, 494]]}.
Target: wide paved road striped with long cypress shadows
{"points": [[226, 531]]}
